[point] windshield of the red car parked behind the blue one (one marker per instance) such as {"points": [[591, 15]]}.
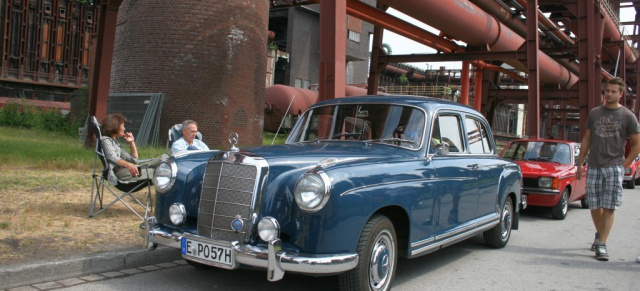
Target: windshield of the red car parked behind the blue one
{"points": [[539, 151]]}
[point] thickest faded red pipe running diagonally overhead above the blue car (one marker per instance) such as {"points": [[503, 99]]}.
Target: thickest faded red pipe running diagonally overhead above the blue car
{"points": [[477, 28]]}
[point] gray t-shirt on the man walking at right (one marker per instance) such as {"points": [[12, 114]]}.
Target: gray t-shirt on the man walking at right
{"points": [[610, 129]]}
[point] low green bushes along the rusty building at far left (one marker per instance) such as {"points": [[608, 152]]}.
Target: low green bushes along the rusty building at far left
{"points": [[24, 115]]}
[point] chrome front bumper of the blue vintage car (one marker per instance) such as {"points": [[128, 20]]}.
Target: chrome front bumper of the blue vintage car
{"points": [[272, 258]]}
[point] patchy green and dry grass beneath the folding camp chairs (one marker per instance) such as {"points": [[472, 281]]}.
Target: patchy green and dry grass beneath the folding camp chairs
{"points": [[46, 185]]}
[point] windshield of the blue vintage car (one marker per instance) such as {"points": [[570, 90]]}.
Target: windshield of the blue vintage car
{"points": [[392, 124]]}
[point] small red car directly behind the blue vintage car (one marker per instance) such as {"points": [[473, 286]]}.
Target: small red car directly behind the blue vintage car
{"points": [[549, 173]]}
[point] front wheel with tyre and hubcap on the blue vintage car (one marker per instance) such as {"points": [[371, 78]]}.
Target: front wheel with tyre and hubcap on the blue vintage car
{"points": [[377, 253]]}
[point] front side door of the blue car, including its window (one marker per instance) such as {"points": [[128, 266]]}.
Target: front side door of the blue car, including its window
{"points": [[457, 182]]}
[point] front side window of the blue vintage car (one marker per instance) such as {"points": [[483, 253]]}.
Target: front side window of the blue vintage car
{"points": [[447, 129]]}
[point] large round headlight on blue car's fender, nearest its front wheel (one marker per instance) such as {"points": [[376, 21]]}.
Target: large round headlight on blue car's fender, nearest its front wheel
{"points": [[312, 191]]}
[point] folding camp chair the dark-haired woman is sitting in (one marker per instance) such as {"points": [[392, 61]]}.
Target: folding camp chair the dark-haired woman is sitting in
{"points": [[101, 182]]}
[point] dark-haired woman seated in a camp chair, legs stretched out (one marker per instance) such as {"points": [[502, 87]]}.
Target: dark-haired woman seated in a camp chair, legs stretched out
{"points": [[123, 165]]}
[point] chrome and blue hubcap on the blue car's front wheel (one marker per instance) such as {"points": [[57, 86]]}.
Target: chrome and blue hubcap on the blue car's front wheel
{"points": [[381, 259]]}
